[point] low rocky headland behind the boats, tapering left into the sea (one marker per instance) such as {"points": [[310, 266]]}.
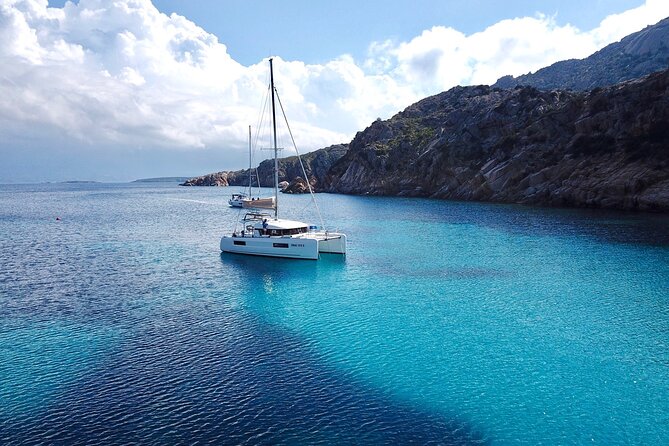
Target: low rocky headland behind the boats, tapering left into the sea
{"points": [[316, 165]]}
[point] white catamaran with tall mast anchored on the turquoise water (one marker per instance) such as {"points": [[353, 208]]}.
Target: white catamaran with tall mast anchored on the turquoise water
{"points": [[264, 234]]}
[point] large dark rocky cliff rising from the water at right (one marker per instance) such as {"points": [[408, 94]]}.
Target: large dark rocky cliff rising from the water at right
{"points": [[606, 148]]}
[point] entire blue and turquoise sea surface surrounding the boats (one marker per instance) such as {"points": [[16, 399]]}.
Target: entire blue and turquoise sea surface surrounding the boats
{"points": [[447, 323]]}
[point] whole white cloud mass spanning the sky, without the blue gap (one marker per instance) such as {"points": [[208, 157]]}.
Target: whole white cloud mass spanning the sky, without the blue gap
{"points": [[122, 74]]}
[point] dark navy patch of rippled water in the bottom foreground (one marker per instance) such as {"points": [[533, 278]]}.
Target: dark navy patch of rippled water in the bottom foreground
{"points": [[231, 379]]}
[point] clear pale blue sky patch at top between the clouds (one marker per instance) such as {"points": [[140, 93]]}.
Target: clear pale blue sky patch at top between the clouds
{"points": [[317, 31]]}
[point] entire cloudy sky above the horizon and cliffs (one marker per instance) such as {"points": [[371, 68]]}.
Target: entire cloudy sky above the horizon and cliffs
{"points": [[115, 90]]}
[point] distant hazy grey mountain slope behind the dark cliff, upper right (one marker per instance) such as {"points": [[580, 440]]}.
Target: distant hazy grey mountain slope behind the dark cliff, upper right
{"points": [[636, 55]]}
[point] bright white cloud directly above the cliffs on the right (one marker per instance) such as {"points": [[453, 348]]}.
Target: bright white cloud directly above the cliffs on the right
{"points": [[442, 57]]}
